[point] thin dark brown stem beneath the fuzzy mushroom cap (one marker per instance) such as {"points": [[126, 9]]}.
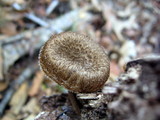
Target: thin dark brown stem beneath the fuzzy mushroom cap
{"points": [[74, 102]]}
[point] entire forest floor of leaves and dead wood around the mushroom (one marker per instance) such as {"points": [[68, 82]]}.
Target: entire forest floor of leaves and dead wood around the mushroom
{"points": [[127, 30]]}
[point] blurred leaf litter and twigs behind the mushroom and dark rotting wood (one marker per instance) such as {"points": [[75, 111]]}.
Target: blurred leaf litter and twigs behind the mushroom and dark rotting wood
{"points": [[126, 29]]}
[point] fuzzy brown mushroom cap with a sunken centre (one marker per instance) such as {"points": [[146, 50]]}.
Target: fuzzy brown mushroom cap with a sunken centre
{"points": [[75, 61]]}
